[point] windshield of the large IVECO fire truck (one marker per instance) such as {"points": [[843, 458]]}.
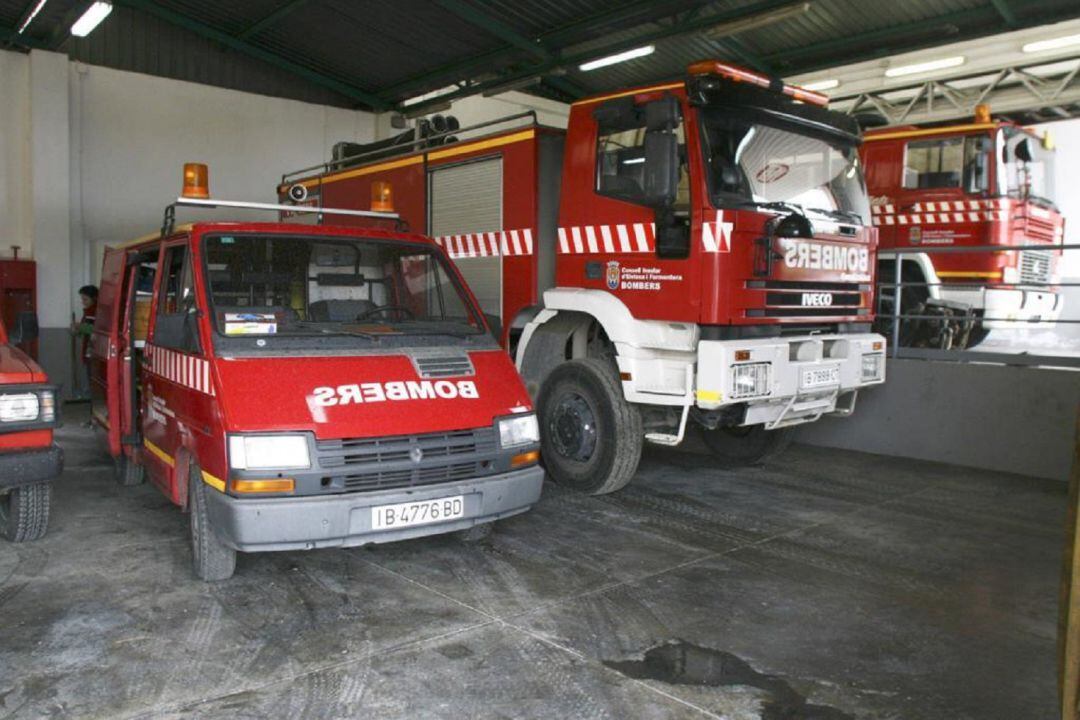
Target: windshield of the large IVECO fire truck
{"points": [[752, 162]]}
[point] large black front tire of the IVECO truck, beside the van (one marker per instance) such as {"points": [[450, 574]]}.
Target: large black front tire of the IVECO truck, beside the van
{"points": [[590, 436]]}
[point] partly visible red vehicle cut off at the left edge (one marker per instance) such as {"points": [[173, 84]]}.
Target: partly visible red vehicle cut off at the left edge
{"points": [[30, 459]]}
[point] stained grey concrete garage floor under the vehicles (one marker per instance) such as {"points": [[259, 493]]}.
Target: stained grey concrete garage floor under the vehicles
{"points": [[828, 586]]}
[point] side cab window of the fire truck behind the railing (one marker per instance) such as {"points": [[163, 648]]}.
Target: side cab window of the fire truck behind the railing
{"points": [[947, 162]]}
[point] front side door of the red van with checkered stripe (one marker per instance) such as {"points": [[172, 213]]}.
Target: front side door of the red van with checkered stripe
{"points": [[170, 377]]}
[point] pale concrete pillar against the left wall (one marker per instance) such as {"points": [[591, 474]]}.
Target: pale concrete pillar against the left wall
{"points": [[51, 209]]}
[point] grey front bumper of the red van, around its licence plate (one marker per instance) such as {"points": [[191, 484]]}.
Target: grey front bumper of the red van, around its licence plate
{"points": [[345, 520]]}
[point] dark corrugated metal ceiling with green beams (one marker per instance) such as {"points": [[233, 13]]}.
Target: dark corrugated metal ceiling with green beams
{"points": [[377, 53]]}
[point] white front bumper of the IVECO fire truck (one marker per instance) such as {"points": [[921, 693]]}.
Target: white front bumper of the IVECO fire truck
{"points": [[795, 381]]}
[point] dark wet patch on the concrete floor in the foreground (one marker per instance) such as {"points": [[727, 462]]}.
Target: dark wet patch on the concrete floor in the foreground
{"points": [[683, 663]]}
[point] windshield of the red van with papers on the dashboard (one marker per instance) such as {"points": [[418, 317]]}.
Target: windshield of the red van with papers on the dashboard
{"points": [[306, 287]]}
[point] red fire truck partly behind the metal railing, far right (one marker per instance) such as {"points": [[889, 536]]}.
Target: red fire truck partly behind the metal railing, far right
{"points": [[987, 183]]}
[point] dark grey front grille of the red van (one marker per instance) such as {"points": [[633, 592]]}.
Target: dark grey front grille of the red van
{"points": [[386, 464]]}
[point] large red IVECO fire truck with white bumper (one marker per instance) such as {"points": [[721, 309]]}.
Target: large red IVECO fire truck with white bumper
{"points": [[693, 252]]}
